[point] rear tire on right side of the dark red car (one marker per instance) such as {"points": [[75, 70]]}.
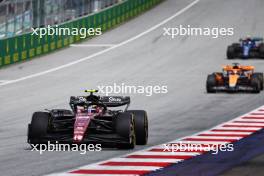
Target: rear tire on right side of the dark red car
{"points": [[141, 126]]}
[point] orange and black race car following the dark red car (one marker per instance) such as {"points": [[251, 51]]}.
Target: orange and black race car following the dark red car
{"points": [[235, 78]]}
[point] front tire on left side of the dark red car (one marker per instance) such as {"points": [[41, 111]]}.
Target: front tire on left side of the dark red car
{"points": [[38, 127]]}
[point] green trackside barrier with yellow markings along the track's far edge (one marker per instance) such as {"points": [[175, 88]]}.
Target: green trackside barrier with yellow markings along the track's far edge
{"points": [[27, 46]]}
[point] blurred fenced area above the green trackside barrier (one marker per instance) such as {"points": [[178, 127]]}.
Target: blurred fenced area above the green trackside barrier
{"points": [[19, 16]]}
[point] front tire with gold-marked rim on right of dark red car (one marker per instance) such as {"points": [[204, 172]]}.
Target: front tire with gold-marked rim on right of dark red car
{"points": [[125, 127]]}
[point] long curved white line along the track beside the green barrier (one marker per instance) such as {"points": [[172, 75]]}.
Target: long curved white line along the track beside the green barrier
{"points": [[106, 50]]}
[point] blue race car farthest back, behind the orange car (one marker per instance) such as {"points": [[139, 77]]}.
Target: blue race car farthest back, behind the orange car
{"points": [[247, 48]]}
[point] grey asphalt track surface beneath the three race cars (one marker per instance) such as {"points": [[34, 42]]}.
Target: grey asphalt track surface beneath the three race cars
{"points": [[152, 59]]}
